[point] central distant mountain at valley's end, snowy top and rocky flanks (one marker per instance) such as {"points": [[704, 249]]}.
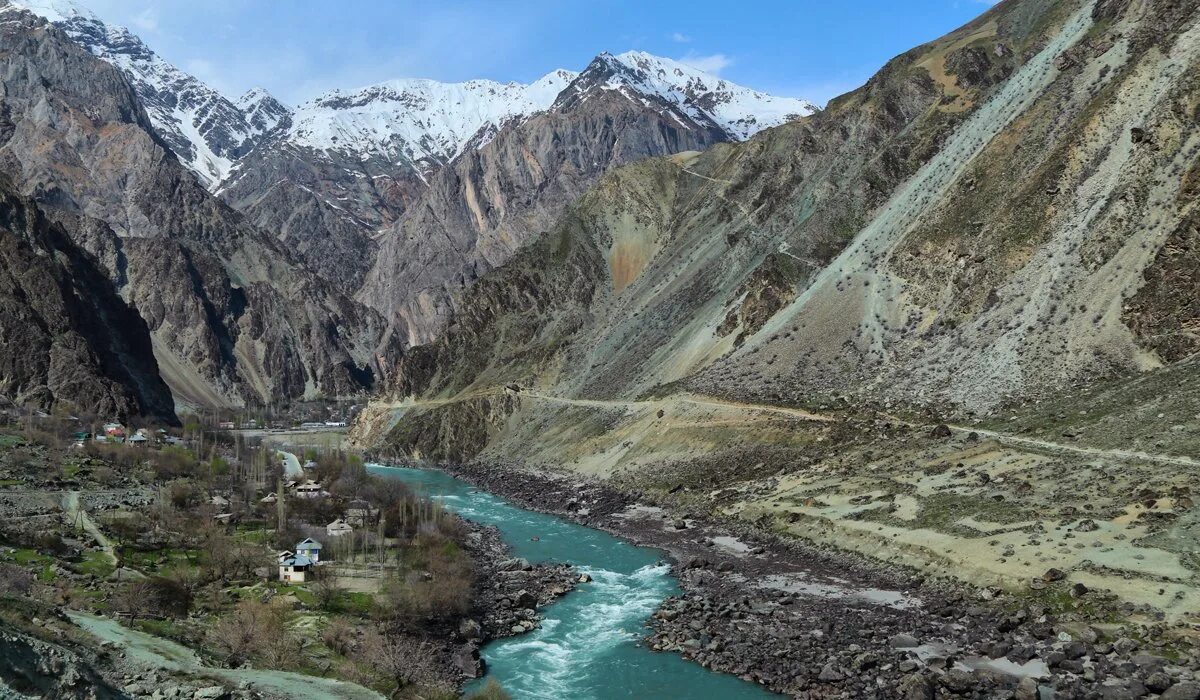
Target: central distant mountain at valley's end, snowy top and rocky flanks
{"points": [[410, 190]]}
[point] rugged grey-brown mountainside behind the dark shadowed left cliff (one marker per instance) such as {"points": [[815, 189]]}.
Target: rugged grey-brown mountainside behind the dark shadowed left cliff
{"points": [[232, 315]]}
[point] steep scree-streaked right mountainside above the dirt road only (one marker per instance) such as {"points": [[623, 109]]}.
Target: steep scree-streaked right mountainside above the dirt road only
{"points": [[993, 218]]}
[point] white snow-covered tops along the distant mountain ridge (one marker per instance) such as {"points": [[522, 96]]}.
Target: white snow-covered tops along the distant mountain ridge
{"points": [[418, 123]]}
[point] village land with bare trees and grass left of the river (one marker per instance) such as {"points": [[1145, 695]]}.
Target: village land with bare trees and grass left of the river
{"points": [[175, 542]]}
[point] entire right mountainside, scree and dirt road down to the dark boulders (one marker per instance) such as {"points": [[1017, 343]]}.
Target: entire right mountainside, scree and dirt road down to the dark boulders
{"points": [[943, 322]]}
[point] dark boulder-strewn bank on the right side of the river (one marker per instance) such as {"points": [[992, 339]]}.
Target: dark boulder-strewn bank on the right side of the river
{"points": [[819, 624]]}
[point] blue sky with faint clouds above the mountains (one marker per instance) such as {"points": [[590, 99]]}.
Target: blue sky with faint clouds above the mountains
{"points": [[301, 49]]}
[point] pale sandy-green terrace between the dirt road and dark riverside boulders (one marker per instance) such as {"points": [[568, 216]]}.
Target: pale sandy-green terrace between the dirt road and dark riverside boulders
{"points": [[971, 501]]}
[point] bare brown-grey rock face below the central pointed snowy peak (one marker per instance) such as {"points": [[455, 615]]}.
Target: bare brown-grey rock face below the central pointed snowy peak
{"points": [[490, 202]]}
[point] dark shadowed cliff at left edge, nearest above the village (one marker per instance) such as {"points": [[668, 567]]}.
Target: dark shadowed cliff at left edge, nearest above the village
{"points": [[71, 343]]}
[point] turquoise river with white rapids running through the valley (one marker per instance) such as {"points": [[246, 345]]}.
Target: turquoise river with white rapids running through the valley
{"points": [[589, 644]]}
